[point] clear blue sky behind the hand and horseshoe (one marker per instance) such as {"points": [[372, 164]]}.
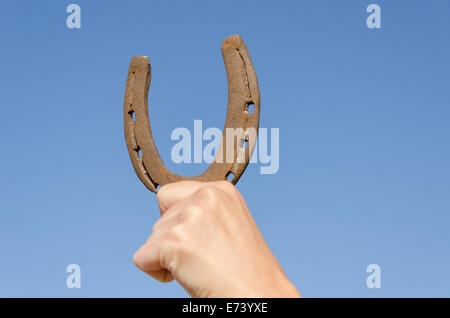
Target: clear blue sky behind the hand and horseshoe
{"points": [[364, 139]]}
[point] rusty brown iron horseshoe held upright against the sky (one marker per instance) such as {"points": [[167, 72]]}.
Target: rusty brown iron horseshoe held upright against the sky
{"points": [[243, 91]]}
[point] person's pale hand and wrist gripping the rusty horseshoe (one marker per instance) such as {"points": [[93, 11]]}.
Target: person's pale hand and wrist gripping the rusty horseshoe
{"points": [[206, 239]]}
